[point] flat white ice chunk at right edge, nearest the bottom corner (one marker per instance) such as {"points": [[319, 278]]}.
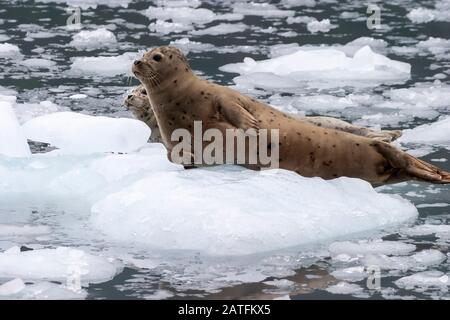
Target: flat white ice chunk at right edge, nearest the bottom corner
{"points": [[424, 280]]}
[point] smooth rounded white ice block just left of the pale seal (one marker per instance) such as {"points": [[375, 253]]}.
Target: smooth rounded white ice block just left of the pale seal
{"points": [[76, 133]]}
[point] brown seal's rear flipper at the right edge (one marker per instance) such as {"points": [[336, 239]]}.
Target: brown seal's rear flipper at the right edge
{"points": [[409, 167]]}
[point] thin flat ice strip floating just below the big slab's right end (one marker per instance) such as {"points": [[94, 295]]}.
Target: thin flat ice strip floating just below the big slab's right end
{"points": [[365, 247]]}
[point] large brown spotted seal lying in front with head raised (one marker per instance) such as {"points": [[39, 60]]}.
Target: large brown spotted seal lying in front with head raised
{"points": [[178, 98]]}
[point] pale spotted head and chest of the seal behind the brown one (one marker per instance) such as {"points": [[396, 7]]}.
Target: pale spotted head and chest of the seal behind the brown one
{"points": [[139, 105]]}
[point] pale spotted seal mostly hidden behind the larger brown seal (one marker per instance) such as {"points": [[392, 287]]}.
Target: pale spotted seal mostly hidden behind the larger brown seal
{"points": [[138, 103]]}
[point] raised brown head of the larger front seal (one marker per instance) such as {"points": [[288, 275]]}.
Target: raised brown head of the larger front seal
{"points": [[159, 65]]}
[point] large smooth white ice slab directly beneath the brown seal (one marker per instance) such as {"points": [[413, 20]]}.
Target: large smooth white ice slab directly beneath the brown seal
{"points": [[211, 201]]}
